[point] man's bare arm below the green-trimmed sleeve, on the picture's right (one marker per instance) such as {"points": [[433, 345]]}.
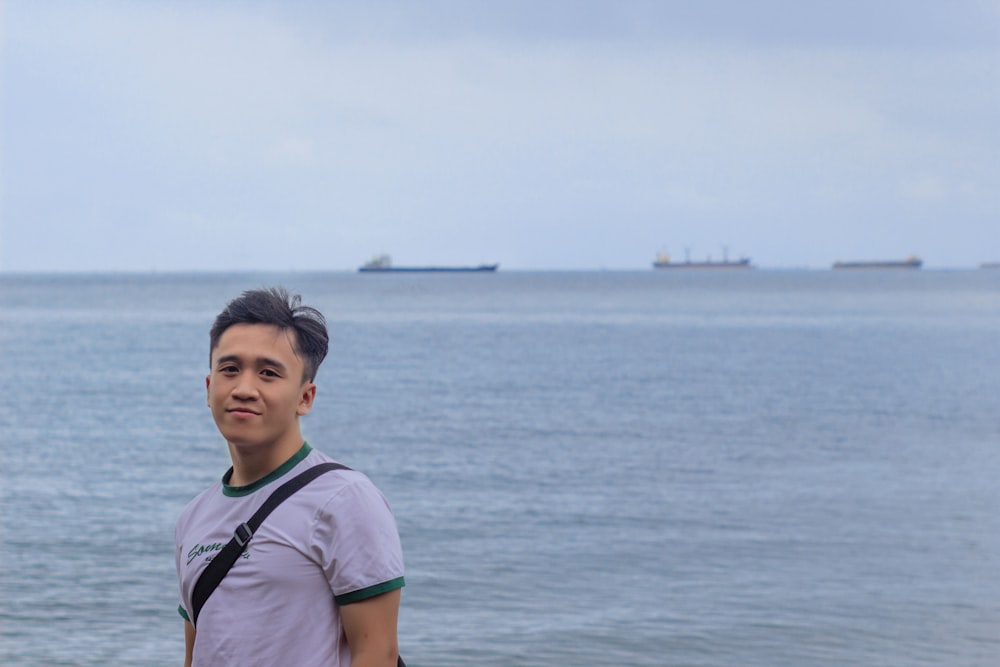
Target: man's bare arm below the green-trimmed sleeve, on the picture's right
{"points": [[370, 627]]}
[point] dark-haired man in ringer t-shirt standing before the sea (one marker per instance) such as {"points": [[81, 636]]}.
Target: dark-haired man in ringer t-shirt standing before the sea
{"points": [[319, 583]]}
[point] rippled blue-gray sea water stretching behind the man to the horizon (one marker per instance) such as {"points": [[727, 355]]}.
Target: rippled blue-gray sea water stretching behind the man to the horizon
{"points": [[765, 468]]}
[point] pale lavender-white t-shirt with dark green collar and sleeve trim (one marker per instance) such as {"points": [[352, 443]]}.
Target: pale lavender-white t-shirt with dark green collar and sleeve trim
{"points": [[331, 543]]}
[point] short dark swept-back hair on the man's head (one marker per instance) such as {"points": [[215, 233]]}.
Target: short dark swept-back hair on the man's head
{"points": [[277, 307]]}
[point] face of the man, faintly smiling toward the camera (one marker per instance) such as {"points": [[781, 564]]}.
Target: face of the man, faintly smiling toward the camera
{"points": [[256, 389]]}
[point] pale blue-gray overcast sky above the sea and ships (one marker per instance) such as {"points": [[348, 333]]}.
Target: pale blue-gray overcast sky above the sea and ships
{"points": [[568, 134]]}
